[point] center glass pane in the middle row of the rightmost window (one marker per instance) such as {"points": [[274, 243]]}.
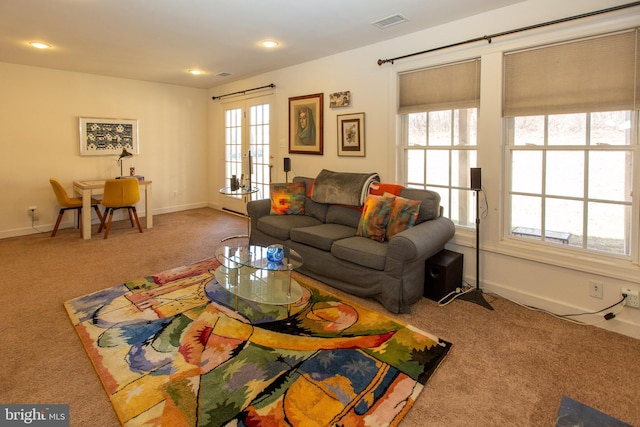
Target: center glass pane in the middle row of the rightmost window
{"points": [[565, 173]]}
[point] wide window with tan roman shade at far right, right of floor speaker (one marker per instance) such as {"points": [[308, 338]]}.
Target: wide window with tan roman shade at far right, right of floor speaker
{"points": [[571, 143]]}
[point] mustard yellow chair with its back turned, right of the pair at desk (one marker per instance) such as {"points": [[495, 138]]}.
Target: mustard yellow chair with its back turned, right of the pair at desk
{"points": [[120, 194]]}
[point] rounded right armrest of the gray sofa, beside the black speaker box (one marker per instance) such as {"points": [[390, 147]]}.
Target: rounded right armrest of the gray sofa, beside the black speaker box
{"points": [[421, 241]]}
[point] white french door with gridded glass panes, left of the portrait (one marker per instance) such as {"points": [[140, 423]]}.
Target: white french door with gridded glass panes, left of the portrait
{"points": [[247, 135]]}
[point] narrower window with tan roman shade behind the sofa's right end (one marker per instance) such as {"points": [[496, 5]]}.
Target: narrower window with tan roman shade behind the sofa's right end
{"points": [[438, 107]]}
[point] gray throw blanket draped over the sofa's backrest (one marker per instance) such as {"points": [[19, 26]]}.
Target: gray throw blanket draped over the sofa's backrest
{"points": [[343, 188]]}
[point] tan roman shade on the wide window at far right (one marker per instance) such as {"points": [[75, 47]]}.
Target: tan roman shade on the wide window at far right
{"points": [[595, 74]]}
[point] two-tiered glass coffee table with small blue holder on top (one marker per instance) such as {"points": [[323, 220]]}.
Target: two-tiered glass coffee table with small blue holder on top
{"points": [[247, 272]]}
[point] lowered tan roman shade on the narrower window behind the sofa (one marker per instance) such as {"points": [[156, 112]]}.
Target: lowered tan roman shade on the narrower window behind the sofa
{"points": [[440, 88]]}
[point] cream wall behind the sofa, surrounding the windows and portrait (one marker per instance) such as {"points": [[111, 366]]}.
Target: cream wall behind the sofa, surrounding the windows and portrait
{"points": [[543, 277]]}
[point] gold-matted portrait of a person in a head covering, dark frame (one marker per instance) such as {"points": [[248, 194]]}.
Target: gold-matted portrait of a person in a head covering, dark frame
{"points": [[305, 124]]}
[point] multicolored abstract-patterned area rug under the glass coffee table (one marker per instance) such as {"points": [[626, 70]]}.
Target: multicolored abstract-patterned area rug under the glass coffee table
{"points": [[176, 349]]}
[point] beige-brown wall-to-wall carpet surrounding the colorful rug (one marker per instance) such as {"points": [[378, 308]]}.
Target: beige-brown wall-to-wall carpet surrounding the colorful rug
{"points": [[507, 367]]}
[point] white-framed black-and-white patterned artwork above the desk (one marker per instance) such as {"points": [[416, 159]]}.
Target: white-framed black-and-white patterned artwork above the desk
{"points": [[106, 137]]}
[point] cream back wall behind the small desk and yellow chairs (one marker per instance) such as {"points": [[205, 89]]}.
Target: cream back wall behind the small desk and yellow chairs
{"points": [[39, 110]]}
